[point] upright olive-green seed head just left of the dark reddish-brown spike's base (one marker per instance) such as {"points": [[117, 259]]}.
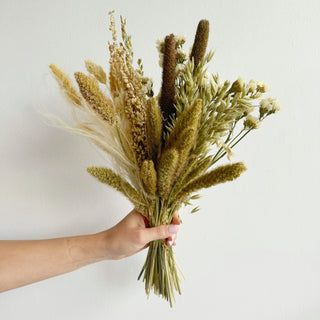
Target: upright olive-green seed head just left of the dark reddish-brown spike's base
{"points": [[154, 129]]}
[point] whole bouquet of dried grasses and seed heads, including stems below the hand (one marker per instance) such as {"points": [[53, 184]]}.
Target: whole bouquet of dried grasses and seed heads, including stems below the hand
{"points": [[161, 146]]}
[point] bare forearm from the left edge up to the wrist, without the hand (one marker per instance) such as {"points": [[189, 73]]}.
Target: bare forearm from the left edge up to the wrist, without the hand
{"points": [[26, 261]]}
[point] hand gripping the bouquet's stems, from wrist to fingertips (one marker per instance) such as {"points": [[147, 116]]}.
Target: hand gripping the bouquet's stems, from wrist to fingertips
{"points": [[132, 235]]}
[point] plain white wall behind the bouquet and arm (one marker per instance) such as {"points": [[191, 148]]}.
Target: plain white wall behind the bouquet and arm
{"points": [[253, 250]]}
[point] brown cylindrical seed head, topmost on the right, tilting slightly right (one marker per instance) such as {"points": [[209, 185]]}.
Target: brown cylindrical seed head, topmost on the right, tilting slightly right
{"points": [[200, 42]]}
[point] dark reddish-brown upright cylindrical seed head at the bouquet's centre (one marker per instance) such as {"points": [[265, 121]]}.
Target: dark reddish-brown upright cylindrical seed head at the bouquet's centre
{"points": [[167, 99]]}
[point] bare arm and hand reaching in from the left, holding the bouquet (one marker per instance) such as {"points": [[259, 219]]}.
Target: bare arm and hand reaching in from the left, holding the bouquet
{"points": [[23, 262]]}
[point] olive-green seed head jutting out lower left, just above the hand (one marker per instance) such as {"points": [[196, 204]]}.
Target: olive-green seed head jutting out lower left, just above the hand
{"points": [[109, 177]]}
